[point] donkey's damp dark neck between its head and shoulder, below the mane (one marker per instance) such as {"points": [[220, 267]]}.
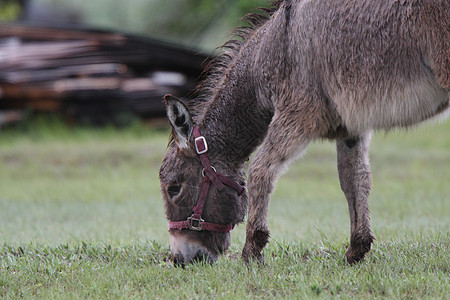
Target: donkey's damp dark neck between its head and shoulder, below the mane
{"points": [[240, 108]]}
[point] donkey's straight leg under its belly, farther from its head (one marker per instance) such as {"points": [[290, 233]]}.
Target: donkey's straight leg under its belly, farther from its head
{"points": [[355, 179]]}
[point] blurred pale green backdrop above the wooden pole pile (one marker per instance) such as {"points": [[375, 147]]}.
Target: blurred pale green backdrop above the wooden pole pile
{"points": [[202, 24]]}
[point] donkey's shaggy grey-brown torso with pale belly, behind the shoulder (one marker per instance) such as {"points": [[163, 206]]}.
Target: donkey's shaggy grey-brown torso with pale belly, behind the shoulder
{"points": [[380, 63]]}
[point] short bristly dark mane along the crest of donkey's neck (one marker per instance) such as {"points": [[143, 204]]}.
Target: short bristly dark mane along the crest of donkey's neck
{"points": [[217, 67]]}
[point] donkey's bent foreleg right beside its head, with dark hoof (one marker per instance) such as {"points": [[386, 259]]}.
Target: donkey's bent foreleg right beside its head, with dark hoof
{"points": [[272, 158]]}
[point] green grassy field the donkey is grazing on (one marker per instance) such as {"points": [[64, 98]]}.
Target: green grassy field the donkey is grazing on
{"points": [[81, 217]]}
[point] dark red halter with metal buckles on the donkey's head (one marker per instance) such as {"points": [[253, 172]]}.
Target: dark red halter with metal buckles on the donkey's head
{"points": [[195, 222]]}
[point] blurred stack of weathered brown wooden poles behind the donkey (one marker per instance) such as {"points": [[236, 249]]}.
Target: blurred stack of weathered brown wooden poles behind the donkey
{"points": [[88, 75]]}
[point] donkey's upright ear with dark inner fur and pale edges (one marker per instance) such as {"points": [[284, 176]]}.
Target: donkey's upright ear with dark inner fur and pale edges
{"points": [[180, 119]]}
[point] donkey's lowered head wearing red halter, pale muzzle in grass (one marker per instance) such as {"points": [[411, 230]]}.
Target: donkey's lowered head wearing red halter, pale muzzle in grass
{"points": [[203, 198]]}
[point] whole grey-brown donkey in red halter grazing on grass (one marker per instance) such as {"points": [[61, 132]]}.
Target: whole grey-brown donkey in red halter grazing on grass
{"points": [[306, 70]]}
